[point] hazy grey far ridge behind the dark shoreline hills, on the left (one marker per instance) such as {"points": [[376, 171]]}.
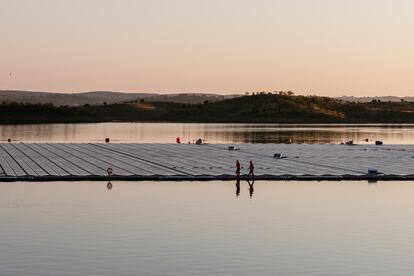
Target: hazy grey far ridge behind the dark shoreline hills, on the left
{"points": [[100, 97]]}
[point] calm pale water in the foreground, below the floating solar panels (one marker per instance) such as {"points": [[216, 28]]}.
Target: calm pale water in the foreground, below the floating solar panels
{"points": [[152, 228]]}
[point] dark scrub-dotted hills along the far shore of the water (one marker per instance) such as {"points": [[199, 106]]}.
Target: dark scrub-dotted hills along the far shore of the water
{"points": [[259, 108]]}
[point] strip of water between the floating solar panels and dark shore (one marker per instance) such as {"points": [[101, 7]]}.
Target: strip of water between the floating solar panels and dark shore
{"points": [[213, 133]]}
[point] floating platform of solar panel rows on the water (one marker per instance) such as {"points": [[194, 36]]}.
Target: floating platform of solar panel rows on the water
{"points": [[77, 162]]}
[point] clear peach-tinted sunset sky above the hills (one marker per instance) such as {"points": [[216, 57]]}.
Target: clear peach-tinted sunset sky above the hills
{"points": [[322, 47]]}
